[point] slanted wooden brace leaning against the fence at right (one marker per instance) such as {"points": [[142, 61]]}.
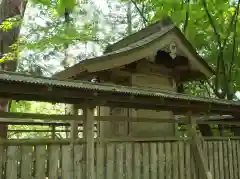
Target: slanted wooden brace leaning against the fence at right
{"points": [[196, 147]]}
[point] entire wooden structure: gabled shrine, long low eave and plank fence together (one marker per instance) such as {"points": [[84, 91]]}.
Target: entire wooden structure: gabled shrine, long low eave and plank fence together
{"points": [[134, 88]]}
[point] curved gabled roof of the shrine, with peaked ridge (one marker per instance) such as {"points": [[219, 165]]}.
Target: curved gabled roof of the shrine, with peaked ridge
{"points": [[138, 46]]}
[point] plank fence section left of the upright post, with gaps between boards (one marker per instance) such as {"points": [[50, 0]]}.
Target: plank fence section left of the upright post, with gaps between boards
{"points": [[42, 162]]}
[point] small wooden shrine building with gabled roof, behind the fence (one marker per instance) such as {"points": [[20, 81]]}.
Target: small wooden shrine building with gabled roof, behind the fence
{"points": [[157, 57]]}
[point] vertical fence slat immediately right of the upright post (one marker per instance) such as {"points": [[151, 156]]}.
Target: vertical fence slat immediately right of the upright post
{"points": [[100, 161]]}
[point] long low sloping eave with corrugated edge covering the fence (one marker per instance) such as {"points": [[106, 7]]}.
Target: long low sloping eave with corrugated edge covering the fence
{"points": [[24, 87]]}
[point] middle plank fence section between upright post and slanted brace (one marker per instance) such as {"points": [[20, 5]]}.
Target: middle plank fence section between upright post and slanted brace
{"points": [[151, 160]]}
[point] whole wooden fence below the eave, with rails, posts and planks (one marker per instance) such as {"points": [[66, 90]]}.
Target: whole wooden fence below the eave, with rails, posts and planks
{"points": [[193, 157]]}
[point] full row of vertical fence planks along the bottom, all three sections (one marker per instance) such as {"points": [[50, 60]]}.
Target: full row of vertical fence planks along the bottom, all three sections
{"points": [[120, 160]]}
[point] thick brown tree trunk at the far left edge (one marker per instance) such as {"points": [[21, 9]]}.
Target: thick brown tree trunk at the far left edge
{"points": [[8, 9]]}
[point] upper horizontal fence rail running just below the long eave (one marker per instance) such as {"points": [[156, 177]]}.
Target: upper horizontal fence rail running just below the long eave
{"points": [[45, 119]]}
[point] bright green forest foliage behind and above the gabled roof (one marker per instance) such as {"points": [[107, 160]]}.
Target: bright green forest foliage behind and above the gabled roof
{"points": [[211, 26]]}
